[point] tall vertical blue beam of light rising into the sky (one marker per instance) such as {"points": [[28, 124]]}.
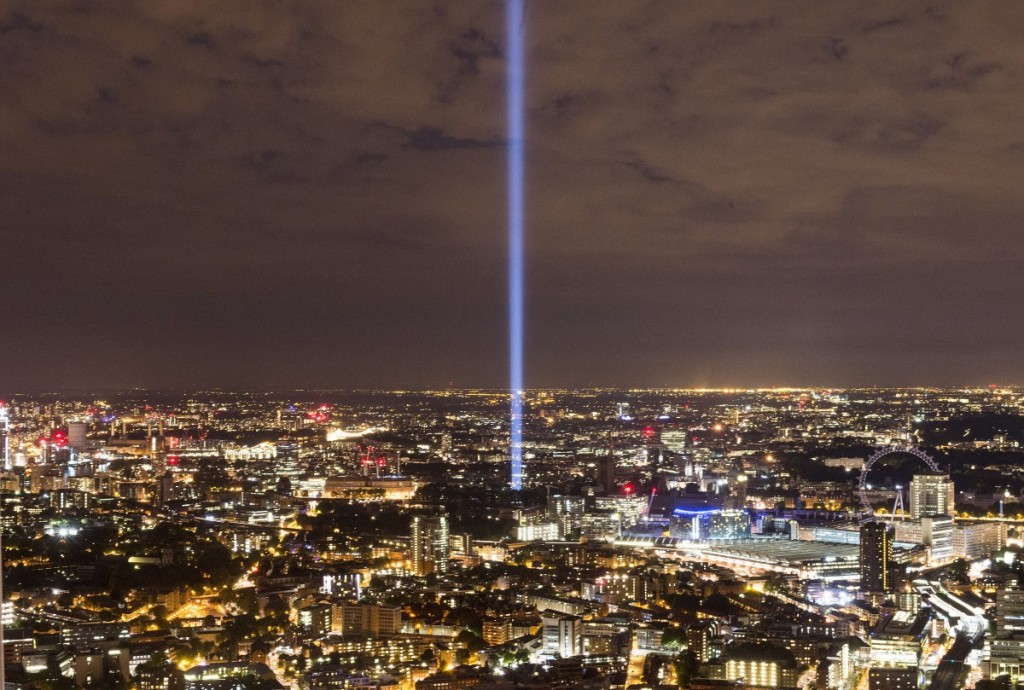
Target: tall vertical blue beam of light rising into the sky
{"points": [[515, 32]]}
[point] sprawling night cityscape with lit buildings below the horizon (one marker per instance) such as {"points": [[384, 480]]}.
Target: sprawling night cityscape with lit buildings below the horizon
{"points": [[662, 538]]}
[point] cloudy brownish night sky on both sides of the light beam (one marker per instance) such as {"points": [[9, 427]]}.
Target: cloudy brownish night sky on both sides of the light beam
{"points": [[313, 195]]}
